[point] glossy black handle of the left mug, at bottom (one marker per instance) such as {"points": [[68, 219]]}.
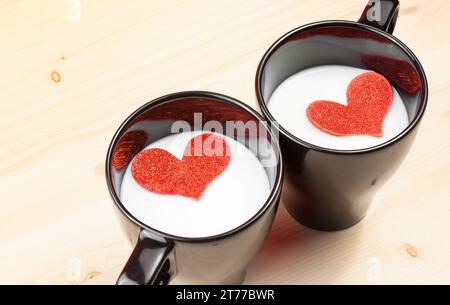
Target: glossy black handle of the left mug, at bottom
{"points": [[151, 263]]}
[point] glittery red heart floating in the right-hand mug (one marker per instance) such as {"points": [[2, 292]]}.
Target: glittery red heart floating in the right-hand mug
{"points": [[369, 97]]}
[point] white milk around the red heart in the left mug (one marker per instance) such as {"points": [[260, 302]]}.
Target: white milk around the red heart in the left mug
{"points": [[230, 200]]}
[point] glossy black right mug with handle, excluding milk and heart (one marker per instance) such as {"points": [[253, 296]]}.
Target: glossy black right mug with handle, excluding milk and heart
{"points": [[329, 189]]}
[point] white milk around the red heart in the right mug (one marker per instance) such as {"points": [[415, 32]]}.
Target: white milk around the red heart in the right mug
{"points": [[290, 99]]}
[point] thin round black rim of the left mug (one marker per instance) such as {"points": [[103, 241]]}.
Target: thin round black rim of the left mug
{"points": [[271, 199]]}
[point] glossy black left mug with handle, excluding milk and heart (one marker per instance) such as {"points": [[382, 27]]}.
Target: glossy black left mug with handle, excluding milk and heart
{"points": [[157, 256]]}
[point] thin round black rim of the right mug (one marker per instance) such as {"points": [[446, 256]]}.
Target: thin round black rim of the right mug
{"points": [[281, 40]]}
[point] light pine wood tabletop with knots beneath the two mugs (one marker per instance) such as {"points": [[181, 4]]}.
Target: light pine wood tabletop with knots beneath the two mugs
{"points": [[69, 74]]}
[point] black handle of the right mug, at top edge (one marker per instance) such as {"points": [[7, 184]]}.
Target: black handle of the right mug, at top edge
{"points": [[381, 14]]}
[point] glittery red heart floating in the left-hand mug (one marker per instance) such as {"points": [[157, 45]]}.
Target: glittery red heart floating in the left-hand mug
{"points": [[205, 157]]}
